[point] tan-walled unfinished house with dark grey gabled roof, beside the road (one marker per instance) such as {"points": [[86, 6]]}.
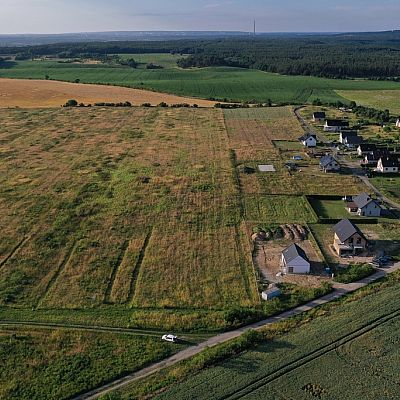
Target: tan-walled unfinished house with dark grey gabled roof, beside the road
{"points": [[348, 239]]}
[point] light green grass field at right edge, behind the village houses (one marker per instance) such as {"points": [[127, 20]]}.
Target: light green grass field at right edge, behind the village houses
{"points": [[380, 99]]}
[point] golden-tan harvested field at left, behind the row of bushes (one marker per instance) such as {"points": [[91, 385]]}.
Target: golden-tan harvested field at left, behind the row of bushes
{"points": [[26, 93]]}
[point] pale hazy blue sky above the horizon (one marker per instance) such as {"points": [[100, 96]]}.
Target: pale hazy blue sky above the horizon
{"points": [[62, 16]]}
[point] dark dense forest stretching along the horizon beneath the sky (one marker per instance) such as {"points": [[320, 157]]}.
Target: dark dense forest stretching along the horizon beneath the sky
{"points": [[368, 55]]}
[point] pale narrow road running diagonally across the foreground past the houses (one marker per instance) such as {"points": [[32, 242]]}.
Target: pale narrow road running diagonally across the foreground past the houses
{"points": [[339, 291]]}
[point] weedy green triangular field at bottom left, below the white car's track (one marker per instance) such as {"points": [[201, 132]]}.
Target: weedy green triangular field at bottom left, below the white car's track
{"points": [[58, 364]]}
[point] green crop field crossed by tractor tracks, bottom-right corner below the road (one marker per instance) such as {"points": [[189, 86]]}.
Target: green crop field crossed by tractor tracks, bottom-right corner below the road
{"points": [[350, 352]]}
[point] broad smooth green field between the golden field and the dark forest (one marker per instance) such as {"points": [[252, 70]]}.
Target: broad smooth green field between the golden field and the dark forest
{"points": [[220, 83]]}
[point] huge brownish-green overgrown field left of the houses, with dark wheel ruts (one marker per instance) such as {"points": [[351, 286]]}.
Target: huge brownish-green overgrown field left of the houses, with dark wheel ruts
{"points": [[135, 207]]}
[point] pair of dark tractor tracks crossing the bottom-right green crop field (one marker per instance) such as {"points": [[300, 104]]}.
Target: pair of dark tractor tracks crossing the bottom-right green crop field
{"points": [[310, 357]]}
